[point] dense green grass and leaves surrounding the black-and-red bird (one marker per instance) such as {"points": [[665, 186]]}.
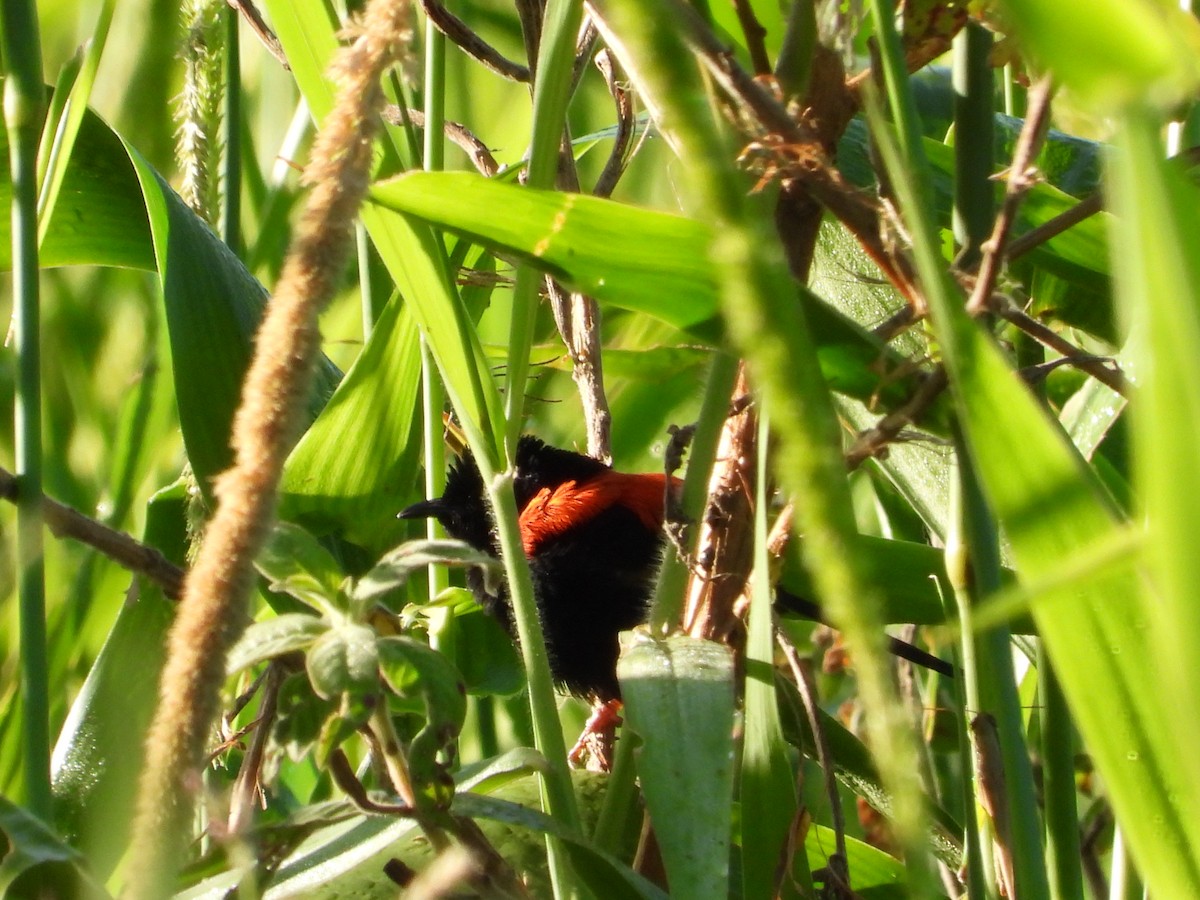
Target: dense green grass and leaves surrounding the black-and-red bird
{"points": [[362, 665]]}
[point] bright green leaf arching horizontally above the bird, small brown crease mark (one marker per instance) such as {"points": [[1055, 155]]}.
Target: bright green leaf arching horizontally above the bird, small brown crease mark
{"points": [[635, 260]]}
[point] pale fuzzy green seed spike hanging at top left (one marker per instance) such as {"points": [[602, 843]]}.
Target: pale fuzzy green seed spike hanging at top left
{"points": [[199, 147]]}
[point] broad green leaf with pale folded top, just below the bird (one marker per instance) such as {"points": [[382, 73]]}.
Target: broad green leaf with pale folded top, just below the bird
{"points": [[674, 687]]}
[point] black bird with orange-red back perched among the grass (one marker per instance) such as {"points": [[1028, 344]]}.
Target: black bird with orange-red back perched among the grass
{"points": [[595, 542]]}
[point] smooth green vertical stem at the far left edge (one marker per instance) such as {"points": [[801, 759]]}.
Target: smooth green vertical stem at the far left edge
{"points": [[25, 99]]}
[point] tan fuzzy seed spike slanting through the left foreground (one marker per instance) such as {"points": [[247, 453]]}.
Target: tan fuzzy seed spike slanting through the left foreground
{"points": [[213, 611]]}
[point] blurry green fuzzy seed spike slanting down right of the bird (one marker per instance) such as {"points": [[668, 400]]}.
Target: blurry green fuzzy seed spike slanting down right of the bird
{"points": [[767, 325]]}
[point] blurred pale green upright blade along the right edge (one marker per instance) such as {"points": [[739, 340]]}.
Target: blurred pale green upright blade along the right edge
{"points": [[1159, 227]]}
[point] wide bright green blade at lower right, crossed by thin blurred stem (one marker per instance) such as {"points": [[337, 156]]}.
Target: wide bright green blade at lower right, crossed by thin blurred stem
{"points": [[1099, 633]]}
